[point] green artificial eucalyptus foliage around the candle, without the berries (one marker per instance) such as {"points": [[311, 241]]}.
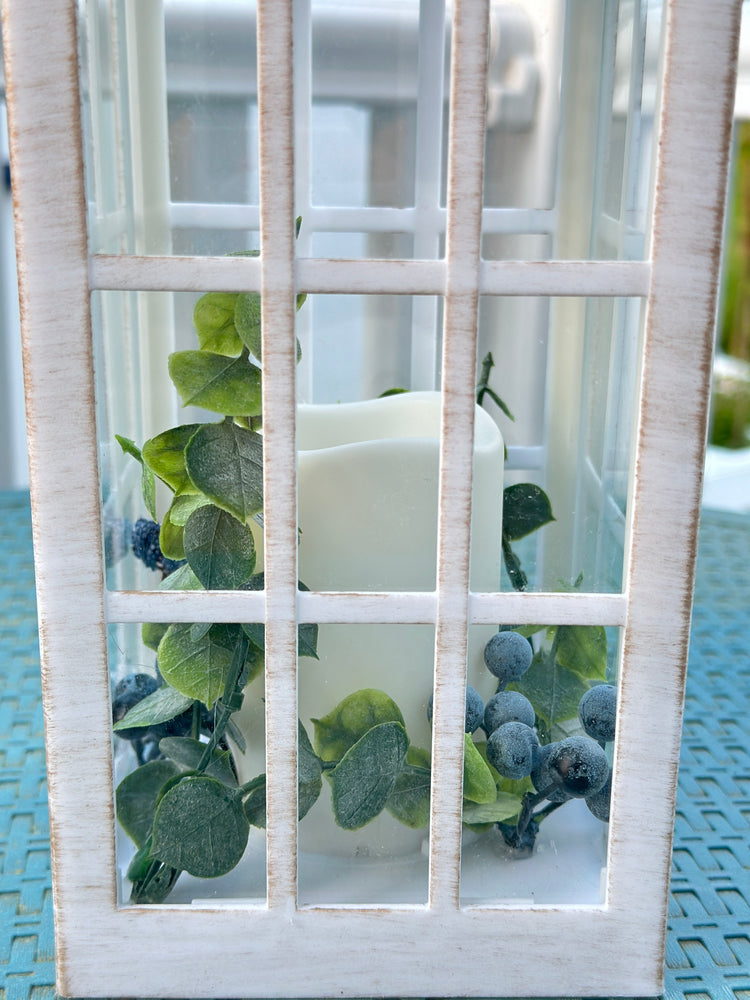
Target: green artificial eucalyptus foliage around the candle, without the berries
{"points": [[184, 808]]}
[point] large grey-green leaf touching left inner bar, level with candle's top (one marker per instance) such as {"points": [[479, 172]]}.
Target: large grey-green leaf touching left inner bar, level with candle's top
{"points": [[225, 461]]}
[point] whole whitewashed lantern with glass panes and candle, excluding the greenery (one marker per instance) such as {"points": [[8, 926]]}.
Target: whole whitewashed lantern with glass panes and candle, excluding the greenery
{"points": [[594, 250]]}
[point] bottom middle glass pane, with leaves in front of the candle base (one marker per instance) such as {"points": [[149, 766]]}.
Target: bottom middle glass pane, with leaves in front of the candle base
{"points": [[362, 841]]}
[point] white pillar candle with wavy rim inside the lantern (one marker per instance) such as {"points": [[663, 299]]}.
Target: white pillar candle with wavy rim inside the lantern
{"points": [[367, 513]]}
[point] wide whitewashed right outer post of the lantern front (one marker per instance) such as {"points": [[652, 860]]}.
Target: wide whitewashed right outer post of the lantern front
{"points": [[693, 157]]}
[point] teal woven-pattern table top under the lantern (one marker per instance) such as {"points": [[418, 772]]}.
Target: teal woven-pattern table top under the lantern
{"points": [[708, 946]]}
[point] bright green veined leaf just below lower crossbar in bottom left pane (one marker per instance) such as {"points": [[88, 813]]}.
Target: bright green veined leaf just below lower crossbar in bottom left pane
{"points": [[197, 669]]}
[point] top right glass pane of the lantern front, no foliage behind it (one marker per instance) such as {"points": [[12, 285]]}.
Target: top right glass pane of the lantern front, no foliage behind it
{"points": [[570, 126]]}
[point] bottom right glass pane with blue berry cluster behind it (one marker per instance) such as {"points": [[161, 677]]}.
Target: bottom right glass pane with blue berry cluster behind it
{"points": [[536, 793]]}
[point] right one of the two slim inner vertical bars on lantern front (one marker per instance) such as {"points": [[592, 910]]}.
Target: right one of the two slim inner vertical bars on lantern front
{"points": [[464, 224]]}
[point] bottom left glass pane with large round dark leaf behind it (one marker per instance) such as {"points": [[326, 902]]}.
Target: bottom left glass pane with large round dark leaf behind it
{"points": [[185, 831]]}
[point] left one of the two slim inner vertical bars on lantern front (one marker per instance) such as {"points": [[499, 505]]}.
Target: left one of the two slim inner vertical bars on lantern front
{"points": [[276, 127]]}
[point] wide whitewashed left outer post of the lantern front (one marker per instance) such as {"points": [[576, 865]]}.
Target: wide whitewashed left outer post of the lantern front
{"points": [[39, 39]]}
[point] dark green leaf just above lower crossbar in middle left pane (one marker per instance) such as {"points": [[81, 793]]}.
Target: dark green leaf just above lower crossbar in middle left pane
{"points": [[219, 549]]}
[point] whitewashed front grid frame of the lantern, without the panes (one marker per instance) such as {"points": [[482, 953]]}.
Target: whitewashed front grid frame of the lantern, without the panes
{"points": [[281, 948]]}
